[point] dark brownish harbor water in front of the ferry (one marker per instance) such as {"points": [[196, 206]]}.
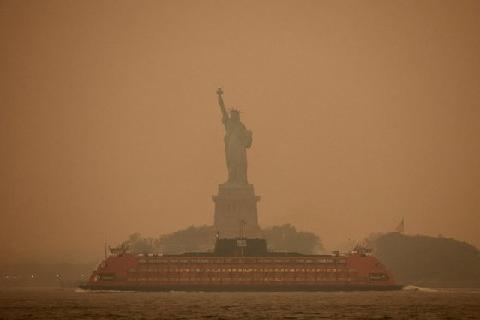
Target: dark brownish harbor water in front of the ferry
{"points": [[412, 303]]}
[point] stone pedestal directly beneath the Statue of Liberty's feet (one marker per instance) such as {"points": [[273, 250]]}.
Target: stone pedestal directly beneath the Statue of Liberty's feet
{"points": [[236, 211]]}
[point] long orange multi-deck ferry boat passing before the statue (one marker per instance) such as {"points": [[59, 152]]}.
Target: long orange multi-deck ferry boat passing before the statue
{"points": [[241, 264]]}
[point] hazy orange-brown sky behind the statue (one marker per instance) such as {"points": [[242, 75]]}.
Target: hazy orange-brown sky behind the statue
{"points": [[362, 112]]}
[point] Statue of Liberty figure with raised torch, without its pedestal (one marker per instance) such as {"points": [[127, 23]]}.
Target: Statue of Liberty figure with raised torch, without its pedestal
{"points": [[237, 140]]}
